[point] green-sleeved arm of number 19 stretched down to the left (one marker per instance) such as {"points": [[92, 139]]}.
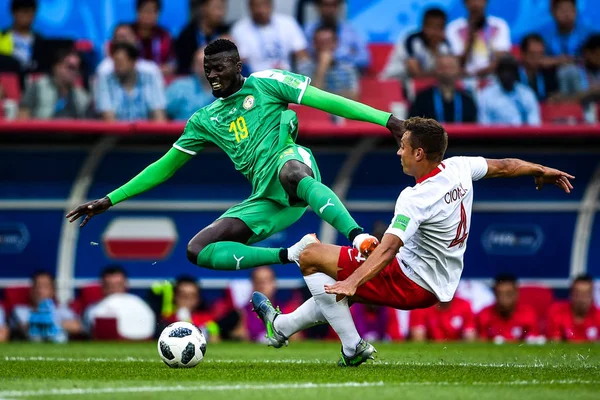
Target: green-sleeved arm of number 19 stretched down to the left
{"points": [[151, 176]]}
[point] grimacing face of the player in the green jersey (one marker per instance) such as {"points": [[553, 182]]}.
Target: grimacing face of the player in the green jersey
{"points": [[222, 73]]}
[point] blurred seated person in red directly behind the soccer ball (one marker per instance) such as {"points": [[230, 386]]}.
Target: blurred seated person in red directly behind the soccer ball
{"points": [[190, 307]]}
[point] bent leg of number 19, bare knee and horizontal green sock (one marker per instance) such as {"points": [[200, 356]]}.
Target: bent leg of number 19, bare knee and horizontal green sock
{"points": [[221, 245]]}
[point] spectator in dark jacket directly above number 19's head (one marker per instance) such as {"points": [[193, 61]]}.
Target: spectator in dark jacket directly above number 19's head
{"points": [[207, 24]]}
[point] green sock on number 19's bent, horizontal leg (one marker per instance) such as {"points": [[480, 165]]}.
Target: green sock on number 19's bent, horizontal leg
{"points": [[231, 256]]}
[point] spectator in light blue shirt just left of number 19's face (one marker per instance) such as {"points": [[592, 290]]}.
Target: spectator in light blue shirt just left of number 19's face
{"points": [[188, 94]]}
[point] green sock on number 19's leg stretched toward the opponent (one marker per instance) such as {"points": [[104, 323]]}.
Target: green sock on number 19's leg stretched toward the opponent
{"points": [[327, 205]]}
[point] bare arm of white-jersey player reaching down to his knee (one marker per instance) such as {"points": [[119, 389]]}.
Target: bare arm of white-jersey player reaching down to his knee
{"points": [[377, 261]]}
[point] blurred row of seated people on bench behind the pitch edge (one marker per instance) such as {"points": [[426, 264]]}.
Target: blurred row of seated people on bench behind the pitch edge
{"points": [[508, 312]]}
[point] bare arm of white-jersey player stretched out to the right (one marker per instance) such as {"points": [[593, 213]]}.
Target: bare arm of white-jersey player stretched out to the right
{"points": [[513, 167]]}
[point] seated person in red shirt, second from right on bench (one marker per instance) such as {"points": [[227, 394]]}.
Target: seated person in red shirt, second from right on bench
{"points": [[507, 320]]}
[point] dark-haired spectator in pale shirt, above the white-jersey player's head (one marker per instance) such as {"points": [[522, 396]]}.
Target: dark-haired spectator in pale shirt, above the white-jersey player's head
{"points": [[415, 56]]}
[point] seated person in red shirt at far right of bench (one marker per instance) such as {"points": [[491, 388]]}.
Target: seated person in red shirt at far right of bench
{"points": [[577, 320]]}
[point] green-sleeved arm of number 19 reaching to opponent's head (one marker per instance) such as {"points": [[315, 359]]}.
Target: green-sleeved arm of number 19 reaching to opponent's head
{"points": [[350, 109]]}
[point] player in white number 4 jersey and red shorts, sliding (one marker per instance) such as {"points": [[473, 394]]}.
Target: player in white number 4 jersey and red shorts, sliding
{"points": [[420, 259]]}
